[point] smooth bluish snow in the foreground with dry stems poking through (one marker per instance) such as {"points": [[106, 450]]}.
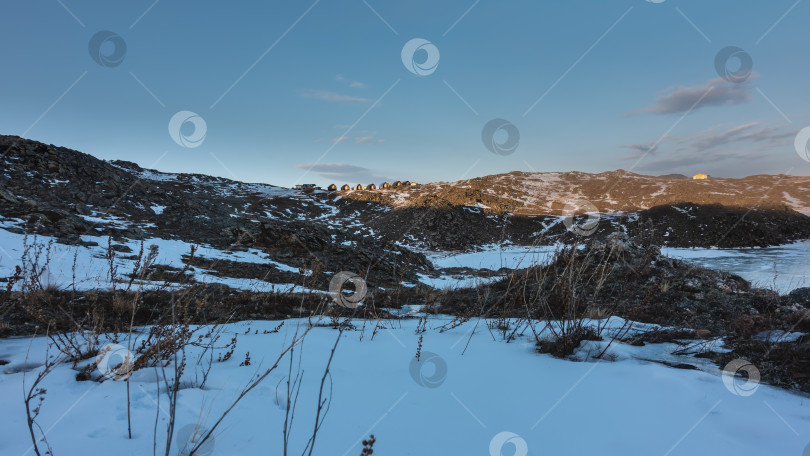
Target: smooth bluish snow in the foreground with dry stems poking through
{"points": [[471, 393]]}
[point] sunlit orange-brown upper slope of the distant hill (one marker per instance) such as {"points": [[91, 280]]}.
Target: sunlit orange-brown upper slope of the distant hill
{"points": [[533, 194]]}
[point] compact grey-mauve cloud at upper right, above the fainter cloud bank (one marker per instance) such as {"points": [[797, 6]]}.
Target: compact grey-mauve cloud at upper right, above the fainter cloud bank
{"points": [[716, 92]]}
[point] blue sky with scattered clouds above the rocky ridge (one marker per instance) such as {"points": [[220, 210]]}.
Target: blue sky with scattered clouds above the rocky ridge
{"points": [[301, 91]]}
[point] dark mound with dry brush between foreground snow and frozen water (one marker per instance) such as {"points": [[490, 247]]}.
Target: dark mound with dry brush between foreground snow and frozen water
{"points": [[619, 277]]}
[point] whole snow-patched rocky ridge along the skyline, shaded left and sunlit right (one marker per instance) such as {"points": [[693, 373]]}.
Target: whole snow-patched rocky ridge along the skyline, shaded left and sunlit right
{"points": [[65, 193]]}
